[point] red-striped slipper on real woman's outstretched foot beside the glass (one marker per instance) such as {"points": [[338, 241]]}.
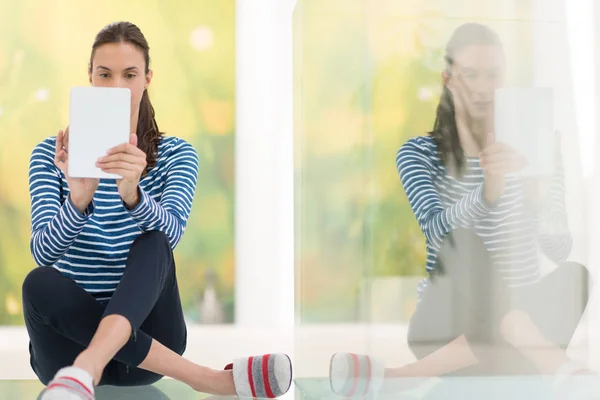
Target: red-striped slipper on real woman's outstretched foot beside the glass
{"points": [[267, 376]]}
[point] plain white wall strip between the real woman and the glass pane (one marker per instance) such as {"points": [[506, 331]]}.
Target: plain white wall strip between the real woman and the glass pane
{"points": [[264, 165]]}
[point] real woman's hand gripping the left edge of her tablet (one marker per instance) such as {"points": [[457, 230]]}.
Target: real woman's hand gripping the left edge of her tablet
{"points": [[81, 189]]}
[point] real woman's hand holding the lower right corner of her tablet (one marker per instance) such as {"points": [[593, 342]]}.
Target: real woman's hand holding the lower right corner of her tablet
{"points": [[128, 161]]}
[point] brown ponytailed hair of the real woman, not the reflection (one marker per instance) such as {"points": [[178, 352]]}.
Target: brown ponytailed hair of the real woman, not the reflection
{"points": [[147, 129]]}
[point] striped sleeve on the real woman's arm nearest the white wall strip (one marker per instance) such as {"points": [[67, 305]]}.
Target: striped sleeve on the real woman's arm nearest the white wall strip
{"points": [[171, 214]]}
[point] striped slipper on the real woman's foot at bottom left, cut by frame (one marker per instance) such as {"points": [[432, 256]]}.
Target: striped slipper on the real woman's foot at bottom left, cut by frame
{"points": [[70, 383]]}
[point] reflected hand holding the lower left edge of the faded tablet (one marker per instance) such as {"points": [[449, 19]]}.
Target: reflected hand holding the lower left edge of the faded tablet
{"points": [[498, 160]]}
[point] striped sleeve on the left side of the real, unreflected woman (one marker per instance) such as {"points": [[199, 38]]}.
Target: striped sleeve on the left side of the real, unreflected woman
{"points": [[54, 224]]}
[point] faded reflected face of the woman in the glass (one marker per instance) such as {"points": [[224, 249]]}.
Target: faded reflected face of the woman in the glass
{"points": [[481, 71]]}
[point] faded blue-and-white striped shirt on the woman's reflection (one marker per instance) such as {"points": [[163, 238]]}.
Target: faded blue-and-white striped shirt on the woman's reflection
{"points": [[511, 233]]}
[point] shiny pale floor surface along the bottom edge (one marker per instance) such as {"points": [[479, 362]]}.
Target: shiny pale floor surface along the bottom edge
{"points": [[463, 388]]}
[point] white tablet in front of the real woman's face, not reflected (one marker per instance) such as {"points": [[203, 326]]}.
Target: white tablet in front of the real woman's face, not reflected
{"points": [[99, 120]]}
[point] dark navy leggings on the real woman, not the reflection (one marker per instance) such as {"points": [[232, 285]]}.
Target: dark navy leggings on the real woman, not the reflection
{"points": [[61, 318]]}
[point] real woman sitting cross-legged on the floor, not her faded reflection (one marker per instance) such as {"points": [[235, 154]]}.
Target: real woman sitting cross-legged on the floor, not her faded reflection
{"points": [[103, 306]]}
